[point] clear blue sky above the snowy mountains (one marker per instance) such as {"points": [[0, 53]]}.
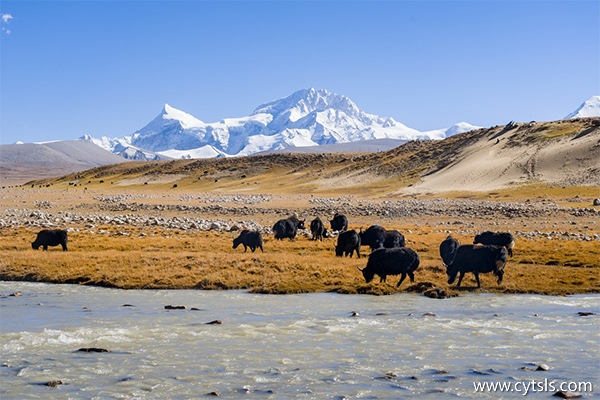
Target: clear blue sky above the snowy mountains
{"points": [[106, 68]]}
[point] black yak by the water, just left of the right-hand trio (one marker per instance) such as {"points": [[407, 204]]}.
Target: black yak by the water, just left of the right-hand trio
{"points": [[395, 261]]}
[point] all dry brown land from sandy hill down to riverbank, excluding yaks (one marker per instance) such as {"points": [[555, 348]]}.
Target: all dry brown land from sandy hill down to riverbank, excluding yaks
{"points": [[150, 224]]}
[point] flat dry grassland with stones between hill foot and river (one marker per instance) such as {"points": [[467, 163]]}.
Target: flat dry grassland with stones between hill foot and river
{"points": [[556, 253]]}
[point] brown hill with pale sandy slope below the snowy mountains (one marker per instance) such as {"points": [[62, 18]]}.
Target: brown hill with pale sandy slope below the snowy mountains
{"points": [[565, 153]]}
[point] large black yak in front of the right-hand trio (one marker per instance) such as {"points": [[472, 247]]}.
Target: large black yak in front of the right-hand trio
{"points": [[477, 259]]}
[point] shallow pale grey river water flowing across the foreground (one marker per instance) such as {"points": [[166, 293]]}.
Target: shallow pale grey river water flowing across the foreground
{"points": [[308, 346]]}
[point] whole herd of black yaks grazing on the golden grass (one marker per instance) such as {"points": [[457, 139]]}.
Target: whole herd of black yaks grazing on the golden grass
{"points": [[389, 254]]}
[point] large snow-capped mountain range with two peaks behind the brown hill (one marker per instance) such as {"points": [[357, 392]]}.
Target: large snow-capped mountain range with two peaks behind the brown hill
{"points": [[308, 117]]}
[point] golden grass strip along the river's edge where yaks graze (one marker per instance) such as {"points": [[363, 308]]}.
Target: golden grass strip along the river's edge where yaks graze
{"points": [[167, 259]]}
